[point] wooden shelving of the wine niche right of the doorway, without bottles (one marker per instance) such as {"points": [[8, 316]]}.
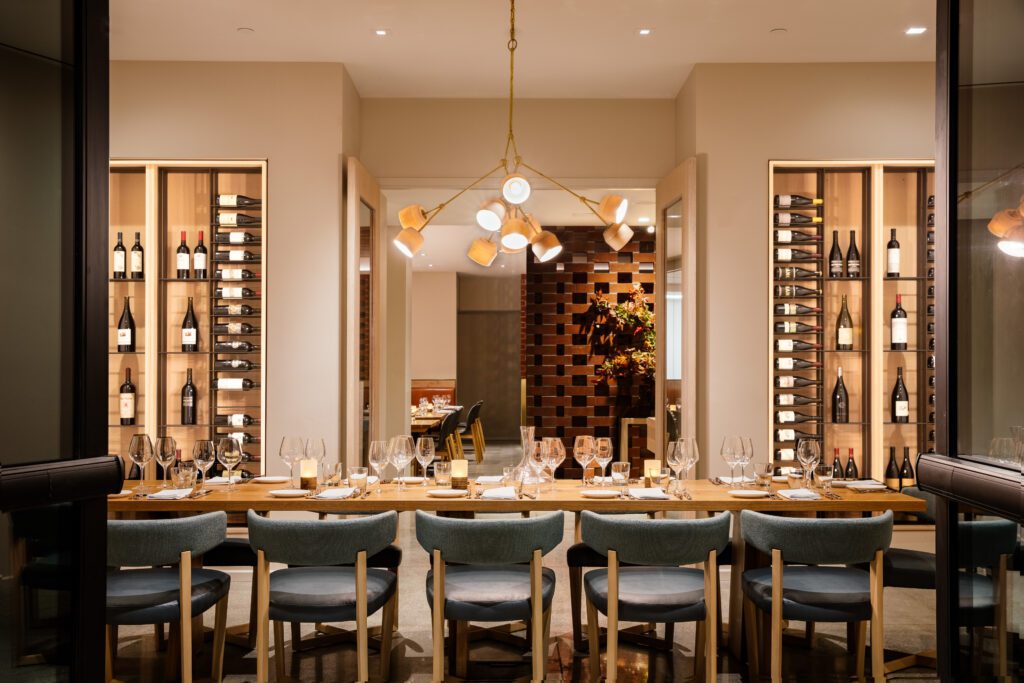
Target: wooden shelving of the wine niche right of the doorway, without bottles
{"points": [[870, 198]]}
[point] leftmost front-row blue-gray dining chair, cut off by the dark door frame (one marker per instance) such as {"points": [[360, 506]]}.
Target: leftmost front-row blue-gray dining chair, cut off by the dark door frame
{"points": [[155, 594]]}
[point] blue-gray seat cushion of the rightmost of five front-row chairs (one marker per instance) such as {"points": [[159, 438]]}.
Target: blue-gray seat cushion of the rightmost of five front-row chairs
{"points": [[815, 593]]}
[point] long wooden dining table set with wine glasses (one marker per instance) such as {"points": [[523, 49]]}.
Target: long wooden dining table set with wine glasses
{"points": [[704, 497]]}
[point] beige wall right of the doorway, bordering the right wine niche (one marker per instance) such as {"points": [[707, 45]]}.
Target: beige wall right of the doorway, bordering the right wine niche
{"points": [[744, 116]]}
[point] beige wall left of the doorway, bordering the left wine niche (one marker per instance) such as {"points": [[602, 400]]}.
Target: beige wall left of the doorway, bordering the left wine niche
{"points": [[291, 114]]}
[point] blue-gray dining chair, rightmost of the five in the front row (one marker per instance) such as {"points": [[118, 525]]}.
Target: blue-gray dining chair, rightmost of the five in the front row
{"points": [[803, 590]]}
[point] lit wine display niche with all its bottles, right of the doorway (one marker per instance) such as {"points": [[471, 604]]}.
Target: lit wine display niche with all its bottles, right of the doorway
{"points": [[848, 239]]}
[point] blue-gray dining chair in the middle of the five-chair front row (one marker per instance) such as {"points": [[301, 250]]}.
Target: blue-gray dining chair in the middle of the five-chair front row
{"points": [[491, 581]]}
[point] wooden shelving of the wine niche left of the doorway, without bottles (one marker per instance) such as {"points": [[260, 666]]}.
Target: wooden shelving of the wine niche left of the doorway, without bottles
{"points": [[160, 199]]}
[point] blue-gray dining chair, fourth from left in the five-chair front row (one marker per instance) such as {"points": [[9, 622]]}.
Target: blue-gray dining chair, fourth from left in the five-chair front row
{"points": [[655, 588]]}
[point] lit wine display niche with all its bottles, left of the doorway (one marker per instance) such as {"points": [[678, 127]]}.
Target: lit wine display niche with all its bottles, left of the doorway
{"points": [[199, 307]]}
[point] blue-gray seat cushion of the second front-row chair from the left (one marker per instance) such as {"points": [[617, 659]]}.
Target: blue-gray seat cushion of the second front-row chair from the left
{"points": [[325, 594]]}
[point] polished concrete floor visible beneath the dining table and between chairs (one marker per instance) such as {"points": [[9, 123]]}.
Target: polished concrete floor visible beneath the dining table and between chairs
{"points": [[910, 627]]}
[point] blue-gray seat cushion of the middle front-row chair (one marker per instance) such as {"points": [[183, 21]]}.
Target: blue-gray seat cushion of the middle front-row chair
{"points": [[498, 593]]}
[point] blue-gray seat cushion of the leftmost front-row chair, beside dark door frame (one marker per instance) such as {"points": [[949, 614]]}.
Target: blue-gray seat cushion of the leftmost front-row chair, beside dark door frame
{"points": [[151, 596]]}
